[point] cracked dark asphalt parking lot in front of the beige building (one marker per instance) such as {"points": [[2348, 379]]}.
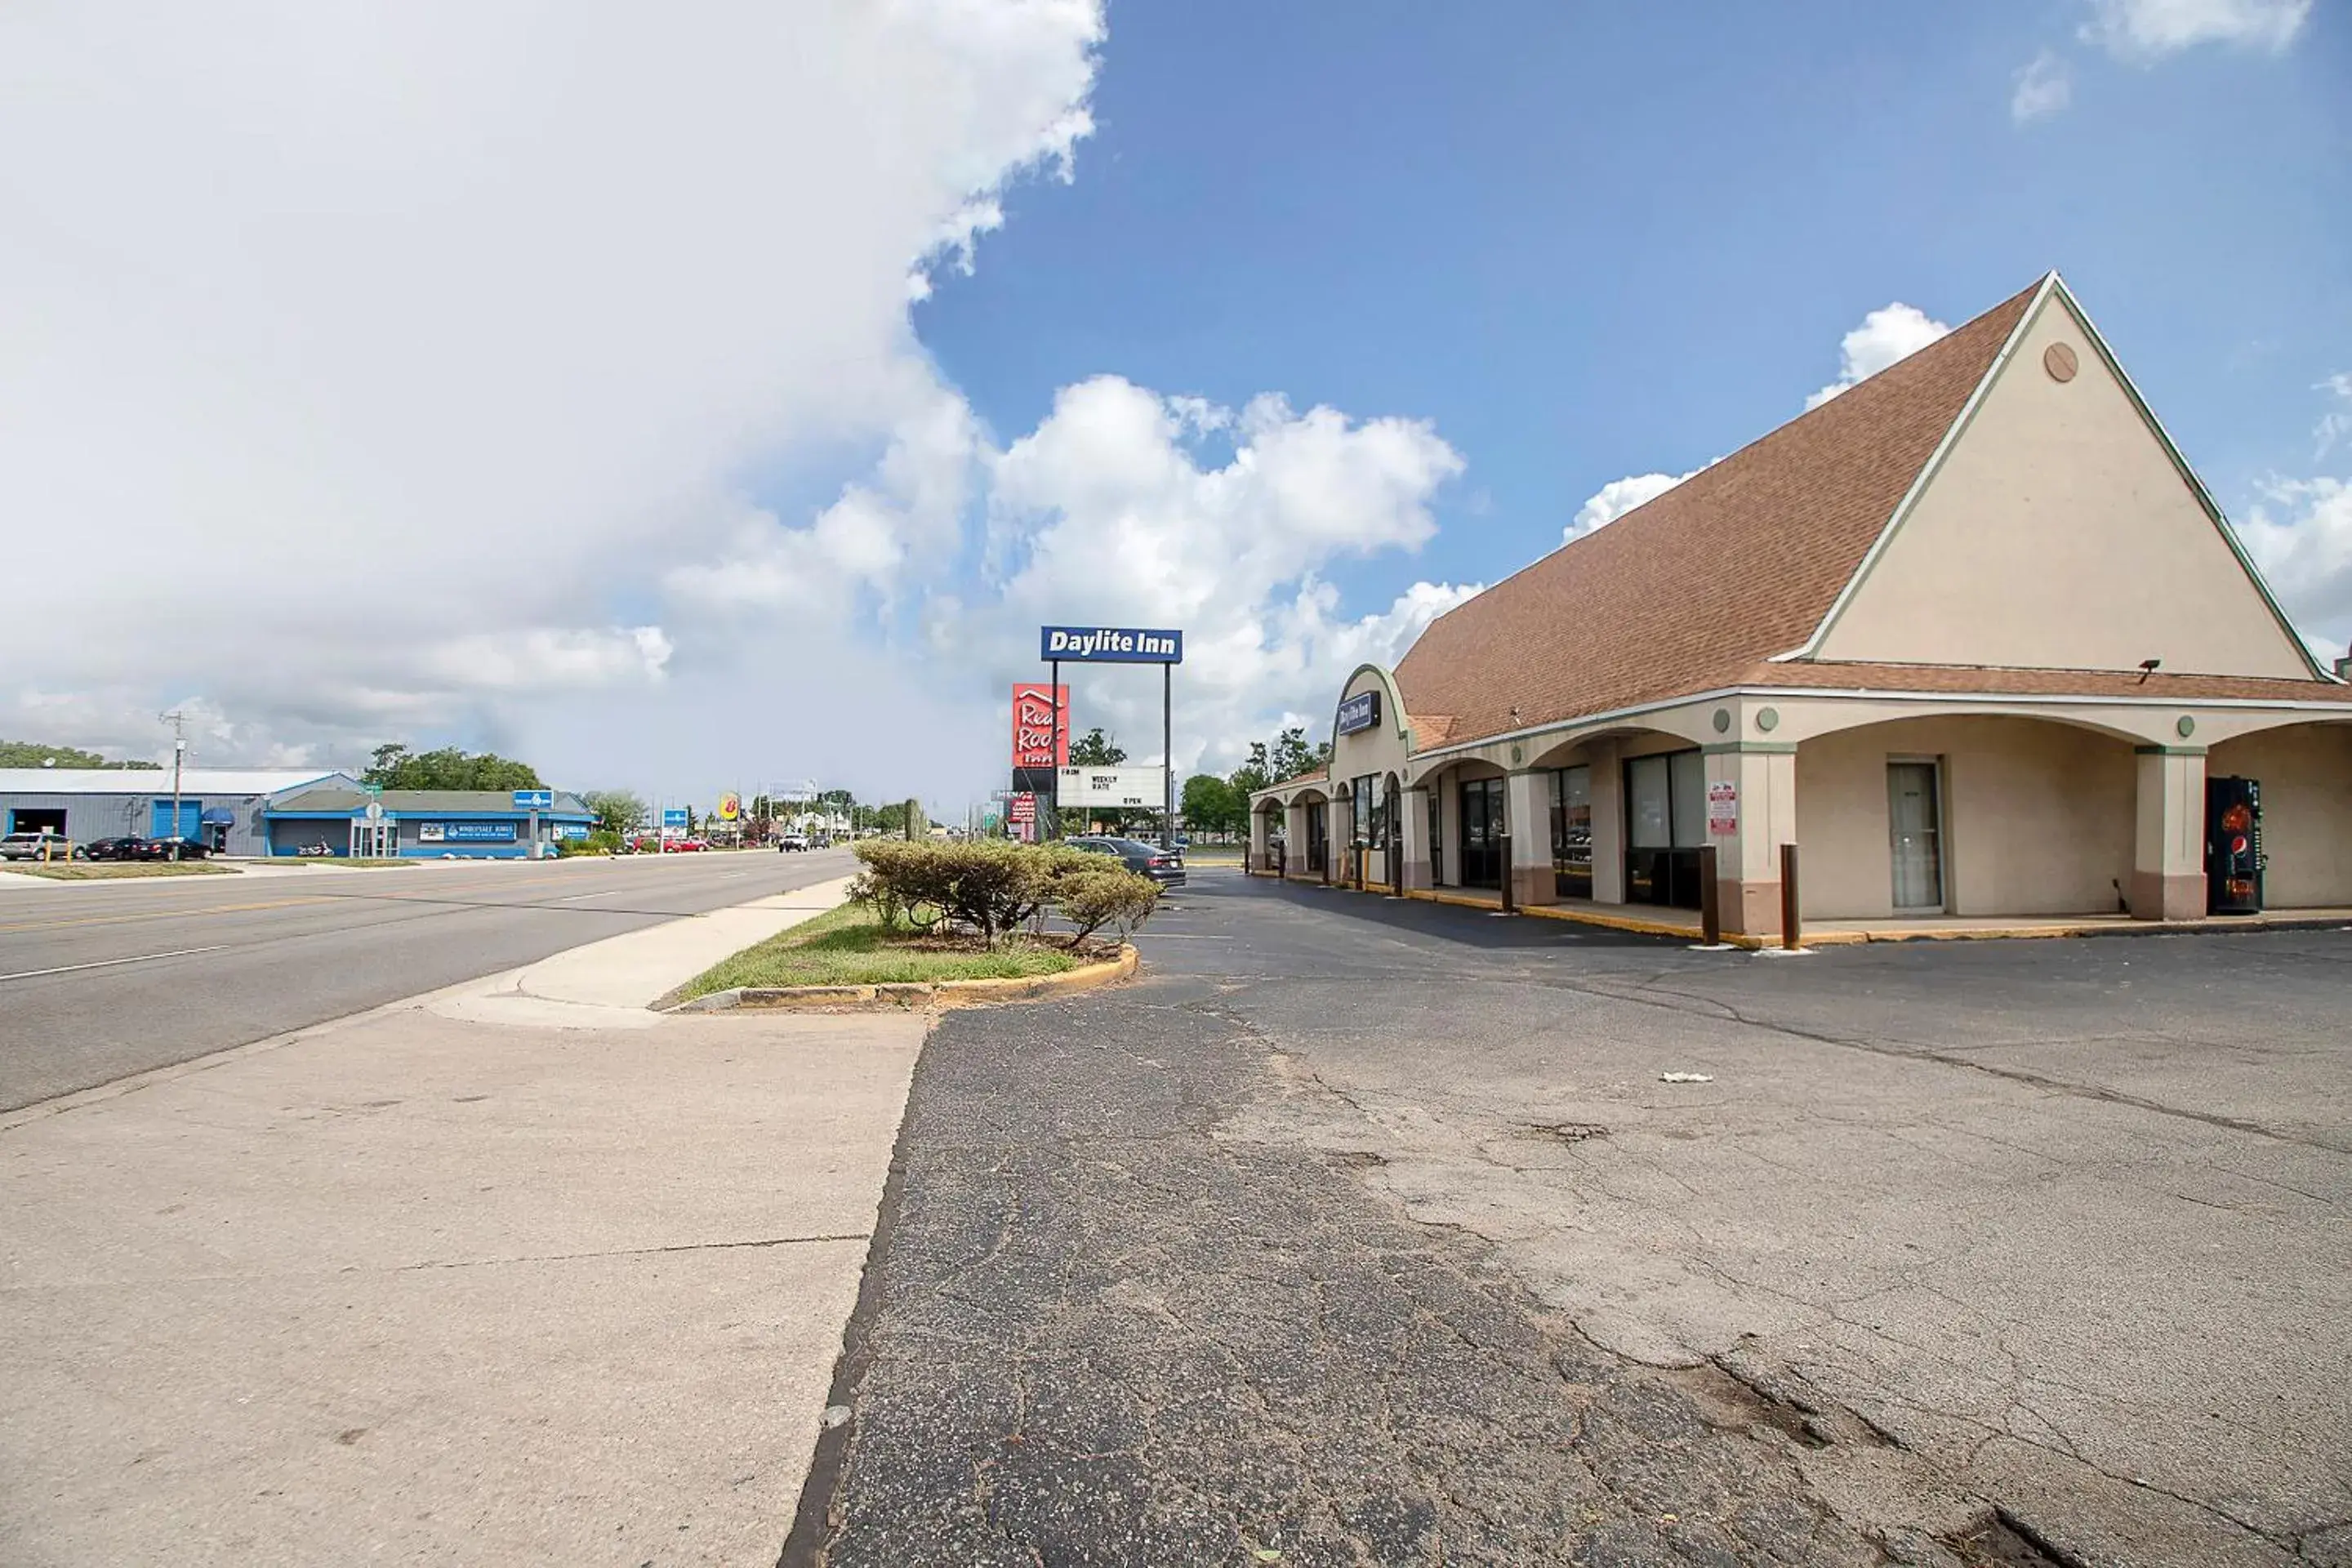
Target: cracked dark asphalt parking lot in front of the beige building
{"points": [[1370, 1233]]}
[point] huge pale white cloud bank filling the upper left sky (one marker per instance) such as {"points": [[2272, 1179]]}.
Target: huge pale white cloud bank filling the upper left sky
{"points": [[373, 368]]}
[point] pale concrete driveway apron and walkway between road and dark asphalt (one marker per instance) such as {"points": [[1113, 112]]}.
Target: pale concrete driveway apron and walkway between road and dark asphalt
{"points": [[420, 1287]]}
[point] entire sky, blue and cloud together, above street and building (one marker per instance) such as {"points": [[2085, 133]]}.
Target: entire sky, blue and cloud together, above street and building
{"points": [[723, 394]]}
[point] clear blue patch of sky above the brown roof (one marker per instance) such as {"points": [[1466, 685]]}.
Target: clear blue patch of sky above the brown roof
{"points": [[1601, 241]]}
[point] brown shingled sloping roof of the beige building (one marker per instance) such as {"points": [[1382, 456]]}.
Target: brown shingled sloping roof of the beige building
{"points": [[1711, 579]]}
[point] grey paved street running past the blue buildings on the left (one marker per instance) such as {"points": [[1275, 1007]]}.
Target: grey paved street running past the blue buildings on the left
{"points": [[100, 981]]}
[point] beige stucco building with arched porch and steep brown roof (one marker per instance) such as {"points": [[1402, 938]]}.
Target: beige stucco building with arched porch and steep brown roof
{"points": [[1972, 636]]}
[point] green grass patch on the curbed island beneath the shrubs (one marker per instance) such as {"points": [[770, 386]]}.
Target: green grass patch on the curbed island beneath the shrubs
{"points": [[850, 946]]}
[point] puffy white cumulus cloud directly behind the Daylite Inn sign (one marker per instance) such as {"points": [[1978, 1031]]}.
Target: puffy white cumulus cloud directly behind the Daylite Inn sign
{"points": [[1123, 509]]}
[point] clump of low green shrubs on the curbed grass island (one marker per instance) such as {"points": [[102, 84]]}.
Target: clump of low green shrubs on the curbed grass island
{"points": [[994, 887]]}
